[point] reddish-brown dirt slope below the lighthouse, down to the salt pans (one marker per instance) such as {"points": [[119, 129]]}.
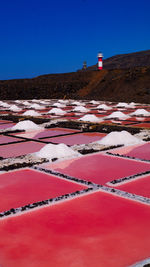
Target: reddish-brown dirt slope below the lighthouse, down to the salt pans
{"points": [[120, 85]]}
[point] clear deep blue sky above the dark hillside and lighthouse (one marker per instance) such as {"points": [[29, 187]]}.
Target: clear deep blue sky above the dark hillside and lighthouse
{"points": [[55, 36]]}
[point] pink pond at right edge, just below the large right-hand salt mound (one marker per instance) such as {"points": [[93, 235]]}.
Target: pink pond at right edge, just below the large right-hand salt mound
{"points": [[141, 151]]}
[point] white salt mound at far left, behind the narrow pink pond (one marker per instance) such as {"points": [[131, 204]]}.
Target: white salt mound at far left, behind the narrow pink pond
{"points": [[26, 125]]}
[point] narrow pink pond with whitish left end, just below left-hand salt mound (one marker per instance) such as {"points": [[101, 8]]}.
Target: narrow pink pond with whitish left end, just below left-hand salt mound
{"points": [[47, 133]]}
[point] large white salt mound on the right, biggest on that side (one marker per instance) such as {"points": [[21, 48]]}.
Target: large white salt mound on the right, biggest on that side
{"points": [[119, 138]]}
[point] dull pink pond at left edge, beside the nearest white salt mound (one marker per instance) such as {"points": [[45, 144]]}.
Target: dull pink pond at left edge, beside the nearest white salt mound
{"points": [[15, 150]]}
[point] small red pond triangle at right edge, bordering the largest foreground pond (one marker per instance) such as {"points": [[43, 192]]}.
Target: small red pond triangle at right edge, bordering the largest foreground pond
{"points": [[139, 186]]}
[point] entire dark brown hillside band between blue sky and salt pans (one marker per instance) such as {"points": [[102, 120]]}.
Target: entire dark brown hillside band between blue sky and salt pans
{"points": [[124, 78]]}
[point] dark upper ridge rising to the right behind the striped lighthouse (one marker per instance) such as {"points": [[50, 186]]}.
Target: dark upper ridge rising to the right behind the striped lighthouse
{"points": [[124, 61]]}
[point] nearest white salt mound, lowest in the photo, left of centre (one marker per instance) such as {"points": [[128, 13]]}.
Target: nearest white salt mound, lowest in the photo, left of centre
{"points": [[60, 151]]}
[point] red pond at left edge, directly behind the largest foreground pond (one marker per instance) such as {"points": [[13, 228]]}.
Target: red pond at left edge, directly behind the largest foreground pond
{"points": [[19, 188]]}
